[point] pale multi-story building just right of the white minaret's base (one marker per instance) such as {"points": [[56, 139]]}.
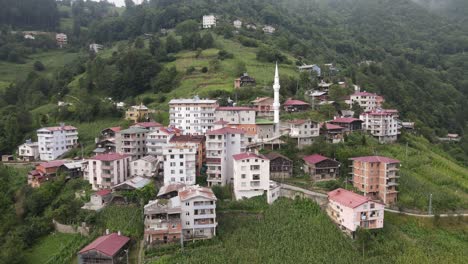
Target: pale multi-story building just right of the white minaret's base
{"points": [[304, 131]]}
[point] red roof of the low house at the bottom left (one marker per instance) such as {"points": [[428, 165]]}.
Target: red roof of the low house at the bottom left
{"points": [[108, 245]]}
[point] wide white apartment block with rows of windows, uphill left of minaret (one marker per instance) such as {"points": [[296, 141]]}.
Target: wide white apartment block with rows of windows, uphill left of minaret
{"points": [[193, 116]]}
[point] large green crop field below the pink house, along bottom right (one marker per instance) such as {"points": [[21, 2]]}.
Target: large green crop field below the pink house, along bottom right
{"points": [[299, 232]]}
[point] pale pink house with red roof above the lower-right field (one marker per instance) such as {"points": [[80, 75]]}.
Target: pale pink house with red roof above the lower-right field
{"points": [[352, 211]]}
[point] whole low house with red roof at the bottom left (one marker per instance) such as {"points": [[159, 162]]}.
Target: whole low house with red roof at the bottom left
{"points": [[110, 248]]}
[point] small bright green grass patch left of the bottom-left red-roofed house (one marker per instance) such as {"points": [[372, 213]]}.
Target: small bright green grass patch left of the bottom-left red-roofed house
{"points": [[47, 247]]}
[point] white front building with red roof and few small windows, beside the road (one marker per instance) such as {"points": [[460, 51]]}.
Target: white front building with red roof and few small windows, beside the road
{"points": [[251, 175]]}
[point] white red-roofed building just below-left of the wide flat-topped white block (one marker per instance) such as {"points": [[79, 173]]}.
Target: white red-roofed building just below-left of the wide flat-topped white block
{"points": [[158, 139]]}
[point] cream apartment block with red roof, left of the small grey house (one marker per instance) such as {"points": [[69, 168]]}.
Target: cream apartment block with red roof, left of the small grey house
{"points": [[106, 170]]}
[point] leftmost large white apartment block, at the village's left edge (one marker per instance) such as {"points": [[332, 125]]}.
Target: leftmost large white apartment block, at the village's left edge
{"points": [[55, 141]]}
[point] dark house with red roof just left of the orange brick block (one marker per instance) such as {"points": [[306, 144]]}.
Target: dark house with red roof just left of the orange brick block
{"points": [[321, 168]]}
